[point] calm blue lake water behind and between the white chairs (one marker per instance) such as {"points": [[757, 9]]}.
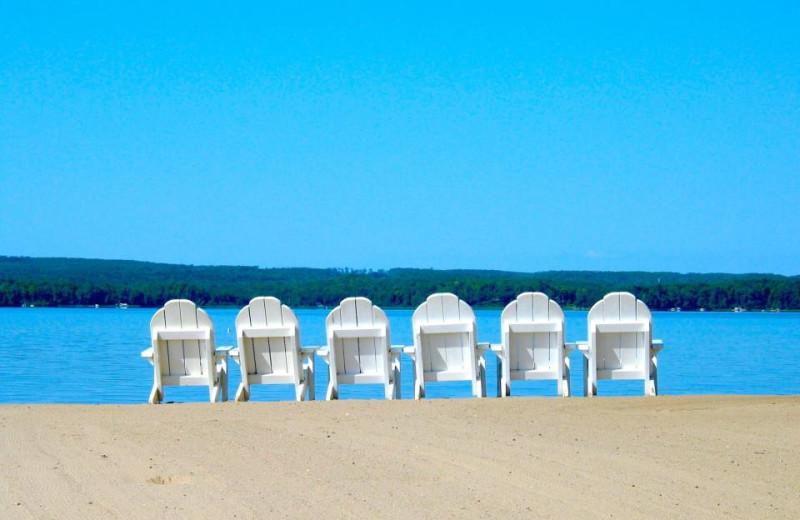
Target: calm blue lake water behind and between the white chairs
{"points": [[92, 356]]}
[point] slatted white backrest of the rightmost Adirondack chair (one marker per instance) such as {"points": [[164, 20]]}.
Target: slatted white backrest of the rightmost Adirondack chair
{"points": [[623, 328]]}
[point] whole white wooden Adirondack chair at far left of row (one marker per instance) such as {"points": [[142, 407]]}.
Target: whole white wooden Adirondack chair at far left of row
{"points": [[183, 351]]}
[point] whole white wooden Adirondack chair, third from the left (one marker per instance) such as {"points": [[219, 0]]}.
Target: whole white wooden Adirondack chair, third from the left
{"points": [[359, 349]]}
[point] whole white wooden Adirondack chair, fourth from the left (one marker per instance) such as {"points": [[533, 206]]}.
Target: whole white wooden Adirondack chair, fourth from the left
{"points": [[445, 344]]}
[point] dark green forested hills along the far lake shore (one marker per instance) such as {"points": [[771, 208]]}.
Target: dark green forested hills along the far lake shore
{"points": [[77, 282]]}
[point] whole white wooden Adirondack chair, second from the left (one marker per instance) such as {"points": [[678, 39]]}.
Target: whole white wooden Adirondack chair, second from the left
{"points": [[268, 349]]}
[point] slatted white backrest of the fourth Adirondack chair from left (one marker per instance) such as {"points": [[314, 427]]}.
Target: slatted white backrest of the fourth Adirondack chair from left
{"points": [[444, 334]]}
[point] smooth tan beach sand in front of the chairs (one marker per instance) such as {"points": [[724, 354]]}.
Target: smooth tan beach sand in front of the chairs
{"points": [[663, 457]]}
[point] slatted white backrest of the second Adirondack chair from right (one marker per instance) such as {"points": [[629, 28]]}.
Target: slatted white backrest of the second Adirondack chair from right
{"points": [[532, 328]]}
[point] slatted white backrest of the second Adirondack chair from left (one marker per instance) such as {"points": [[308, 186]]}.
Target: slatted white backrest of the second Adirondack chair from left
{"points": [[268, 336]]}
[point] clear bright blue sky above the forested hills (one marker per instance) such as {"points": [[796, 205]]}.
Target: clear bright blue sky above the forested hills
{"points": [[606, 135]]}
